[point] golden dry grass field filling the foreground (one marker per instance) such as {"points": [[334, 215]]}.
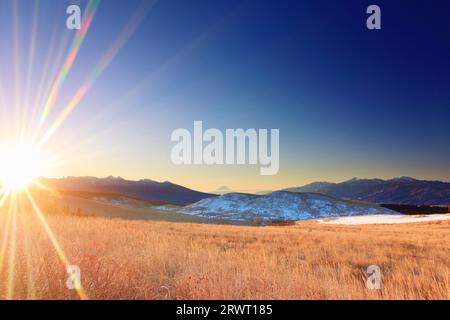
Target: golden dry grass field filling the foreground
{"points": [[122, 259]]}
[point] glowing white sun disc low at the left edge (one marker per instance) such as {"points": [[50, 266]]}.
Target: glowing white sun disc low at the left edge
{"points": [[20, 165]]}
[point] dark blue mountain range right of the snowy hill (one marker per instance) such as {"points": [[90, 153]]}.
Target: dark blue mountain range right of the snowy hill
{"points": [[403, 190]]}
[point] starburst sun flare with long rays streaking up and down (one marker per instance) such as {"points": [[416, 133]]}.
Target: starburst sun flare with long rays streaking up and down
{"points": [[35, 104]]}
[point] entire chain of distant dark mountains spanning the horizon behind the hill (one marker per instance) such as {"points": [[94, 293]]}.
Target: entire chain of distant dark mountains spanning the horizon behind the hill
{"points": [[403, 190]]}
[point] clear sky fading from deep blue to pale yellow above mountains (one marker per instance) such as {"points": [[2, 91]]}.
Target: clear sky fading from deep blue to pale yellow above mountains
{"points": [[348, 101]]}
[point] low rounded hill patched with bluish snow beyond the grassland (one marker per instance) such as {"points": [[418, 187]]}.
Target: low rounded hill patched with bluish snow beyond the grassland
{"points": [[279, 206]]}
